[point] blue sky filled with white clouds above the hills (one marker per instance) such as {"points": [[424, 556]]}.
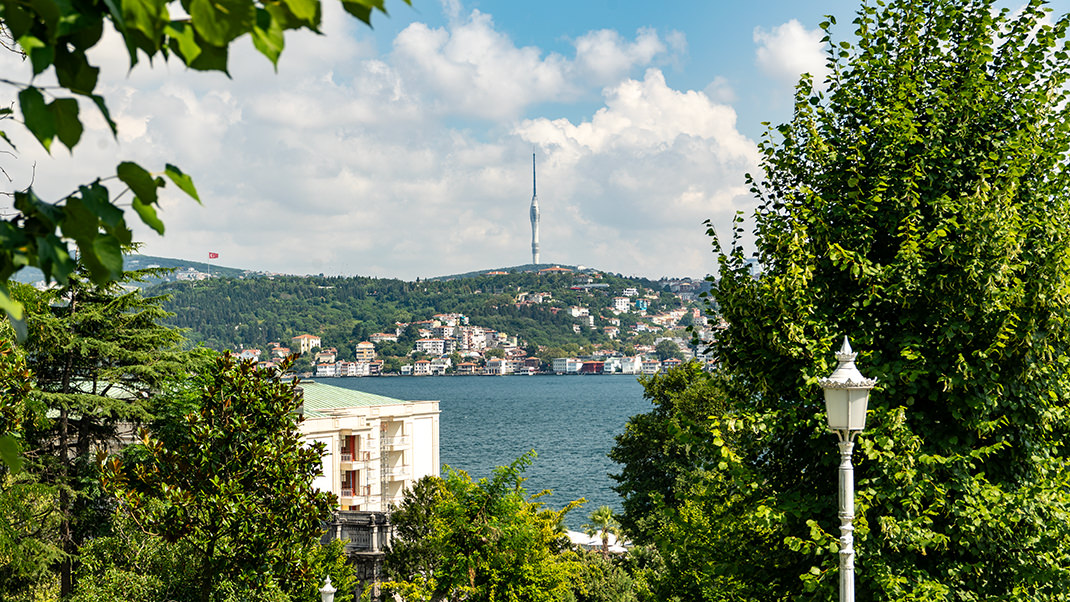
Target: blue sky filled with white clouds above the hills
{"points": [[405, 151]]}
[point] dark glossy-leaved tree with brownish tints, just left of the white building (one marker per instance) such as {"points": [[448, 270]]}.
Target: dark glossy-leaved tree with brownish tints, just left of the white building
{"points": [[236, 480]]}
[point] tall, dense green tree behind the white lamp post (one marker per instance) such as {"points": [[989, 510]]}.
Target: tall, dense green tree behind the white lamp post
{"points": [[920, 206]]}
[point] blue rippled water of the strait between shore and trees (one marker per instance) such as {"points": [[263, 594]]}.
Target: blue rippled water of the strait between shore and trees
{"points": [[490, 422]]}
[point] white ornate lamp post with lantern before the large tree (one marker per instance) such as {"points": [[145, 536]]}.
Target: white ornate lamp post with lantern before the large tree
{"points": [[847, 396]]}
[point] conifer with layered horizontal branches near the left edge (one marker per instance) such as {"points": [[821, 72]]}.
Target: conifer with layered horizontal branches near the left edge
{"points": [[99, 357]]}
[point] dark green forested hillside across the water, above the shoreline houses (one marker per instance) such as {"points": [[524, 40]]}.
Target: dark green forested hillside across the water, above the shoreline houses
{"points": [[232, 313]]}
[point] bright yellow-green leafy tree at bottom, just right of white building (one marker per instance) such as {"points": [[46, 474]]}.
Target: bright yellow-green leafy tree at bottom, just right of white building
{"points": [[483, 542]]}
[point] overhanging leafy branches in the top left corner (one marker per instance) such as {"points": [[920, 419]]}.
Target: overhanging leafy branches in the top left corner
{"points": [[57, 39]]}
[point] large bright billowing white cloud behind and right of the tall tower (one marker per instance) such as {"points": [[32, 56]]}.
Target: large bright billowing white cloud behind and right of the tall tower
{"points": [[636, 181]]}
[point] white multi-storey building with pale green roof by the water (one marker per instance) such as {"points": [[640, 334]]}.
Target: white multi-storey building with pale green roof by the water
{"points": [[376, 446]]}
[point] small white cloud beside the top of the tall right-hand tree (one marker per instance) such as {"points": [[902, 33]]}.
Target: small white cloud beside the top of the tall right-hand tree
{"points": [[789, 51]]}
